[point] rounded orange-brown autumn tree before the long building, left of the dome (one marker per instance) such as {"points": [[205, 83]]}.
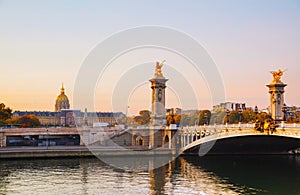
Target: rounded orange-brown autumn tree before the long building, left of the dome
{"points": [[28, 120]]}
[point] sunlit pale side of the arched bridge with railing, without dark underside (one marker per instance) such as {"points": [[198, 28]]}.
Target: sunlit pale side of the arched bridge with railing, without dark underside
{"points": [[193, 137]]}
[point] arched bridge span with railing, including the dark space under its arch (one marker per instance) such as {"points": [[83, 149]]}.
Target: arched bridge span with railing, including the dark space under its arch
{"points": [[239, 138]]}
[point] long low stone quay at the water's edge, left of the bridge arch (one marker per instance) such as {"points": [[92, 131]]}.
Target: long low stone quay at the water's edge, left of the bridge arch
{"points": [[77, 151]]}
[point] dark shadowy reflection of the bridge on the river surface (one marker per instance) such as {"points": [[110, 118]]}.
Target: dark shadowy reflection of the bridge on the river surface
{"points": [[278, 174]]}
